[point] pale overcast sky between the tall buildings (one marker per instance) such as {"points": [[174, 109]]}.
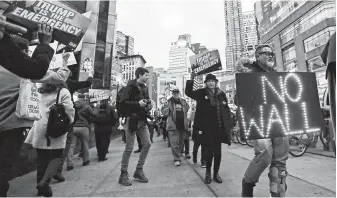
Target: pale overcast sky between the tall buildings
{"points": [[155, 24]]}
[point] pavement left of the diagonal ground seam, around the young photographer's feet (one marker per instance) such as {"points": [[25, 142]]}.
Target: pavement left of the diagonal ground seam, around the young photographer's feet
{"points": [[101, 179]]}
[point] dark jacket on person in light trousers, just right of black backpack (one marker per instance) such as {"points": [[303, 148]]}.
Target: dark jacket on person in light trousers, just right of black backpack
{"points": [[84, 113]]}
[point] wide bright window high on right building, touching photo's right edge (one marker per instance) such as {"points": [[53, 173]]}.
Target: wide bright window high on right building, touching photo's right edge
{"points": [[318, 39]]}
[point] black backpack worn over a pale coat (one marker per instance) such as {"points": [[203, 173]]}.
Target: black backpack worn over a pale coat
{"points": [[58, 121]]}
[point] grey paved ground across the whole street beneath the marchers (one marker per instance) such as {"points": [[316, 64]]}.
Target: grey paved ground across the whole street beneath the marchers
{"points": [[310, 175]]}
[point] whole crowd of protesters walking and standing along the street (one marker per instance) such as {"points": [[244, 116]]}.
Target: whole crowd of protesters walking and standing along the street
{"points": [[208, 122]]}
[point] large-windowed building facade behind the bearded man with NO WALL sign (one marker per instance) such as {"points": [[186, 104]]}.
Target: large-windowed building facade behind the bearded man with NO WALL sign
{"points": [[298, 31]]}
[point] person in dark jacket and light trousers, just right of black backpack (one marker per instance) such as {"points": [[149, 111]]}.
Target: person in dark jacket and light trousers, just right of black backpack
{"points": [[81, 130]]}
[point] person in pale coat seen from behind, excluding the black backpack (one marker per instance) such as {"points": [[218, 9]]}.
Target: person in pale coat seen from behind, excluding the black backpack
{"points": [[37, 135]]}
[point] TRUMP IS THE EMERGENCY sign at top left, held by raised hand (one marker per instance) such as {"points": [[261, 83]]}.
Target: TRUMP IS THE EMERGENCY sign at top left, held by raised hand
{"points": [[69, 25]]}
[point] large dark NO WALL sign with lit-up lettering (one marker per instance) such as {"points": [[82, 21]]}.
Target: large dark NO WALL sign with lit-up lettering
{"points": [[277, 104]]}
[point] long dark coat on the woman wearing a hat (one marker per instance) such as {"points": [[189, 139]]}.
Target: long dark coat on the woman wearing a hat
{"points": [[205, 130]]}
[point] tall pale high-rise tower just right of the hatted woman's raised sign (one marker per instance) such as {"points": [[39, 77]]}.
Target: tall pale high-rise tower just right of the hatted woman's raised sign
{"points": [[234, 32]]}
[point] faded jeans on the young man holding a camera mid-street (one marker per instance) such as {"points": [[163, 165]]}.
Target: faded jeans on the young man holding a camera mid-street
{"points": [[143, 132]]}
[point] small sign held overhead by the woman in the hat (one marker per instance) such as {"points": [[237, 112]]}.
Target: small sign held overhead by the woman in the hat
{"points": [[206, 62]]}
